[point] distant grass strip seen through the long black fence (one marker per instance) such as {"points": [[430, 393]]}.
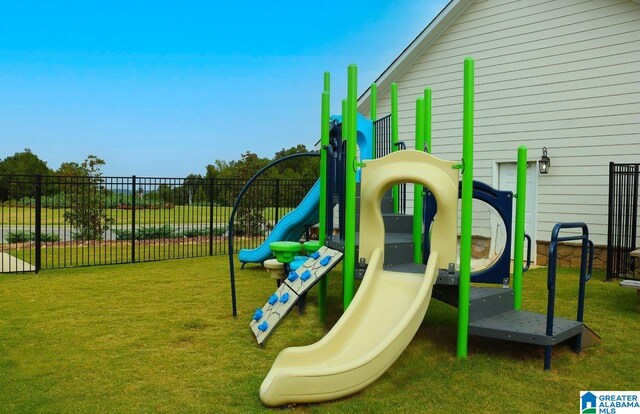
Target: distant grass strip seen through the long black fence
{"points": [[19, 216]]}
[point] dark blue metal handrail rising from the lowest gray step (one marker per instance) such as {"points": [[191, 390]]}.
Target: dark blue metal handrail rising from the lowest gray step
{"points": [[586, 257]]}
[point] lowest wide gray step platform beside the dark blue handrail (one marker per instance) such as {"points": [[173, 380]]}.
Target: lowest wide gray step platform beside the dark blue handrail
{"points": [[526, 327]]}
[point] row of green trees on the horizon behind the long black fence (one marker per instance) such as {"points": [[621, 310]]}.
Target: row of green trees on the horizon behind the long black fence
{"points": [[85, 194]]}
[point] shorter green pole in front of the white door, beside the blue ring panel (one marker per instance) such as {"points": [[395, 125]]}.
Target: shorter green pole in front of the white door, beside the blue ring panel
{"points": [[518, 243]]}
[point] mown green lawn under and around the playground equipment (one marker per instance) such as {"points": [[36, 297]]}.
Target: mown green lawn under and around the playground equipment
{"points": [[158, 337]]}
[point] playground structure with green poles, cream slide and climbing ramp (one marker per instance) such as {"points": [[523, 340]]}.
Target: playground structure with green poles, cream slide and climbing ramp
{"points": [[406, 259]]}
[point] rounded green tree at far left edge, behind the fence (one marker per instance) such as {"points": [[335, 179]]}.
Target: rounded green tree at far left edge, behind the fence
{"points": [[20, 163]]}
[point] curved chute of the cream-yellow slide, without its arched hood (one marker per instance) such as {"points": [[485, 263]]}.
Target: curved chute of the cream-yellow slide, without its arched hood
{"points": [[370, 336]]}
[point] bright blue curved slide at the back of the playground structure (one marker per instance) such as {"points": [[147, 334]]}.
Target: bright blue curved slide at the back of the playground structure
{"points": [[289, 228]]}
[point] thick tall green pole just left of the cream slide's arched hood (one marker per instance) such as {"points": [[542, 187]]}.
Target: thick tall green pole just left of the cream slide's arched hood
{"points": [[349, 264]]}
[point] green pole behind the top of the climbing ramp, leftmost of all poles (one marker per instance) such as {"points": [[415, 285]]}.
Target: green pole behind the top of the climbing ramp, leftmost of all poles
{"points": [[322, 230]]}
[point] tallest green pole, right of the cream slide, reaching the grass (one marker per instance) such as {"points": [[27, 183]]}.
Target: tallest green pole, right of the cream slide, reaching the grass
{"points": [[467, 211]]}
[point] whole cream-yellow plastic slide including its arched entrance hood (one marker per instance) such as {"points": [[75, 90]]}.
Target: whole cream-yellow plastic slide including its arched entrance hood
{"points": [[389, 306]]}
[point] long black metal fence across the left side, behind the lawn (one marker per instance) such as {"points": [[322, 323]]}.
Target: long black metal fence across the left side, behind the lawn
{"points": [[55, 221]]}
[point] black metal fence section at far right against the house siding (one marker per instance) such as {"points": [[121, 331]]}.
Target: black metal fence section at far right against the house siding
{"points": [[624, 180]]}
